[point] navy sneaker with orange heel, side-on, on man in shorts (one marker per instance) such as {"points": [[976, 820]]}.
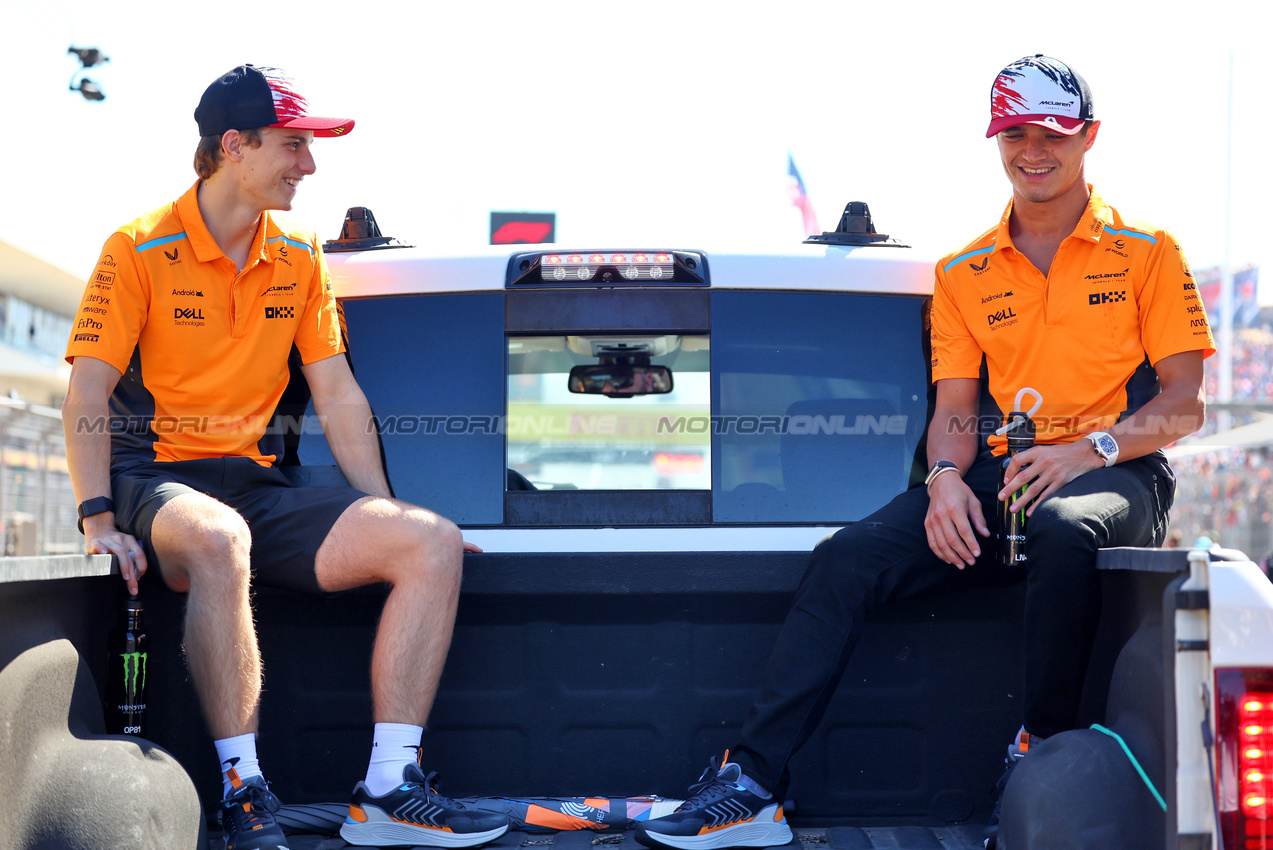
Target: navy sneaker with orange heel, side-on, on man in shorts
{"points": [[416, 814]]}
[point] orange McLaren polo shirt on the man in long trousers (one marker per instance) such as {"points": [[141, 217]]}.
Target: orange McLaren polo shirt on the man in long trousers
{"points": [[1080, 344]]}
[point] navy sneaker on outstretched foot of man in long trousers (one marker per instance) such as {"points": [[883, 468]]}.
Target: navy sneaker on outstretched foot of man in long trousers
{"points": [[720, 814]]}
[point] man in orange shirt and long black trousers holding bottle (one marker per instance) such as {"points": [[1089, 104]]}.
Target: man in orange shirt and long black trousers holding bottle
{"points": [[1093, 319]]}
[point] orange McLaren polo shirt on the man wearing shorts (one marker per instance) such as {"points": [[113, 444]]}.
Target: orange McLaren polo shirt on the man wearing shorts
{"points": [[203, 349]]}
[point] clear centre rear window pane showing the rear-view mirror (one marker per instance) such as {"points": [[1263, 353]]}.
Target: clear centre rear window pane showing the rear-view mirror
{"points": [[559, 440]]}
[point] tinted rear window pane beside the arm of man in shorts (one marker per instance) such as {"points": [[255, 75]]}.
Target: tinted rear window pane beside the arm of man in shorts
{"points": [[432, 368]]}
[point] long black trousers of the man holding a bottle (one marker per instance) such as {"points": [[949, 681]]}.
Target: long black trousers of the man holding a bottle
{"points": [[887, 557]]}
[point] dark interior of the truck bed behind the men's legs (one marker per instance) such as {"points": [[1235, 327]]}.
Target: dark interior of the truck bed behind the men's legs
{"points": [[570, 681]]}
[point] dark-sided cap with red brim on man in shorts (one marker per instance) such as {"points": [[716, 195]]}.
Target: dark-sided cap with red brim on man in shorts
{"points": [[253, 97]]}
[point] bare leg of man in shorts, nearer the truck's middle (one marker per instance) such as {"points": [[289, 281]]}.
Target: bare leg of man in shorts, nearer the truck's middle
{"points": [[421, 555]]}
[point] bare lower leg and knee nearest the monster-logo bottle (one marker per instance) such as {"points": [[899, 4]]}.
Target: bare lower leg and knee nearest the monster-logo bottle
{"points": [[203, 549]]}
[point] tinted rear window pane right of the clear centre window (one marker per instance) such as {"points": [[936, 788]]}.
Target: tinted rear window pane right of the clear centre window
{"points": [[819, 403]]}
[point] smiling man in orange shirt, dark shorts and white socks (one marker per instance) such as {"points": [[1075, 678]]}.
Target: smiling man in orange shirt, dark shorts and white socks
{"points": [[183, 347]]}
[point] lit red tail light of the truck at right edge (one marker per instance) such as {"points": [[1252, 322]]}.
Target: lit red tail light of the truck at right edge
{"points": [[1244, 722]]}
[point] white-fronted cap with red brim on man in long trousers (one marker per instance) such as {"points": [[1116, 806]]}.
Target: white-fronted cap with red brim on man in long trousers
{"points": [[1039, 90]]}
